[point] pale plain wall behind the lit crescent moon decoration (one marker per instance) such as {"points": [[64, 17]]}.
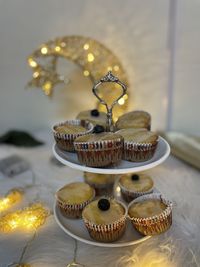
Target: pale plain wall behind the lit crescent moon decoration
{"points": [[137, 31]]}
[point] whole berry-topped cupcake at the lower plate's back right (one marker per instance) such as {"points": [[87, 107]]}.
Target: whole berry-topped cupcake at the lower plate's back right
{"points": [[135, 185]]}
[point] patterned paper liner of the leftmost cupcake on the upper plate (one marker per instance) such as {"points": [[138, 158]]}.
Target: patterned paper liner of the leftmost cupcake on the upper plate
{"points": [[66, 141]]}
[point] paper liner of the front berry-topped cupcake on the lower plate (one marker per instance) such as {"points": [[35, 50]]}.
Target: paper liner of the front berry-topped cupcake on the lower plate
{"points": [[107, 232]]}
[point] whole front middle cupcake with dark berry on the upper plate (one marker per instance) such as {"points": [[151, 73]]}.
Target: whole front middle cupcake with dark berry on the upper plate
{"points": [[99, 149]]}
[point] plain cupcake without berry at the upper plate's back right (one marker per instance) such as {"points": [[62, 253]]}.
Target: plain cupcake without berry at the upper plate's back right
{"points": [[134, 119]]}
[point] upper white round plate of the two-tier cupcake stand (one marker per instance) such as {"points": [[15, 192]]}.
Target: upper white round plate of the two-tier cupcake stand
{"points": [[71, 160]]}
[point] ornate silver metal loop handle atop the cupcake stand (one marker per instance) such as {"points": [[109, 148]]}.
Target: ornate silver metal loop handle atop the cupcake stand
{"points": [[110, 78]]}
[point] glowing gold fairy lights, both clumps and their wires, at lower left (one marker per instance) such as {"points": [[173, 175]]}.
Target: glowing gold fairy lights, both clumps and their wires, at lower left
{"points": [[27, 219]]}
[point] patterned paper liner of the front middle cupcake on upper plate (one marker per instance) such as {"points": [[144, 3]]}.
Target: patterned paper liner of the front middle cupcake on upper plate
{"points": [[99, 153]]}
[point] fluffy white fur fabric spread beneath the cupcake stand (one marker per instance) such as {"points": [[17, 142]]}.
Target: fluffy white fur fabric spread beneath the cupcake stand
{"points": [[180, 246]]}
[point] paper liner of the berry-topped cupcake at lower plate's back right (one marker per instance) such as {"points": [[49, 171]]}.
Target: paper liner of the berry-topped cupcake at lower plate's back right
{"points": [[129, 195]]}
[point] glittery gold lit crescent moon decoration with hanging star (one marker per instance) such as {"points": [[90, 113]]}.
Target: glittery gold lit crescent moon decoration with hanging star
{"points": [[93, 57]]}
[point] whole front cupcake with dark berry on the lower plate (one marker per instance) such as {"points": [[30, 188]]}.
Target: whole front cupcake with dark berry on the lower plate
{"points": [[105, 219]]}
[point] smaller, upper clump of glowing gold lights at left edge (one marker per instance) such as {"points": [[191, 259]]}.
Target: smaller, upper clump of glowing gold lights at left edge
{"points": [[12, 198]]}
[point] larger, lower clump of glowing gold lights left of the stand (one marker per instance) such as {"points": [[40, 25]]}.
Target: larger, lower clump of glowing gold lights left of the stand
{"points": [[29, 218]]}
